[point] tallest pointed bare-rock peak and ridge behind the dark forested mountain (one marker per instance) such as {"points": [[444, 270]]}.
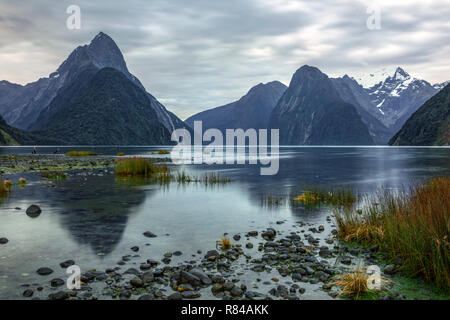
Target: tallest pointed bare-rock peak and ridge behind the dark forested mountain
{"points": [[29, 107]]}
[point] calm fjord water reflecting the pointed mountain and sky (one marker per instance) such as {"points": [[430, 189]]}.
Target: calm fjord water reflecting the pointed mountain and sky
{"points": [[96, 218]]}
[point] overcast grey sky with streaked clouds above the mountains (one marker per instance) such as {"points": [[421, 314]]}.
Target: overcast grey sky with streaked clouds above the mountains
{"points": [[198, 54]]}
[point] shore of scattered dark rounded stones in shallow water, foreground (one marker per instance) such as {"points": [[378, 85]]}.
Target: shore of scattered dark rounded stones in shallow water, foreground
{"points": [[259, 265]]}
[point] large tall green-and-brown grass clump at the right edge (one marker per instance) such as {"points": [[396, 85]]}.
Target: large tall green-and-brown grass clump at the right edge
{"points": [[412, 225]]}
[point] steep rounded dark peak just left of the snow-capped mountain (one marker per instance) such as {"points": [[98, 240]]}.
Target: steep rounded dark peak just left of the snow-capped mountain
{"points": [[310, 112]]}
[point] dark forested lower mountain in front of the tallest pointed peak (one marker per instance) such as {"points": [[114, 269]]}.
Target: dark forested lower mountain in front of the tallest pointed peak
{"points": [[106, 108]]}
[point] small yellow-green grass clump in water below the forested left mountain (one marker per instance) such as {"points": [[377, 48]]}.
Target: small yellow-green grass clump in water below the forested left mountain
{"points": [[136, 166]]}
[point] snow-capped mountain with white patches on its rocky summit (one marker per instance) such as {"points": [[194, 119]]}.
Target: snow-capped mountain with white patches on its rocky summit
{"points": [[385, 99]]}
